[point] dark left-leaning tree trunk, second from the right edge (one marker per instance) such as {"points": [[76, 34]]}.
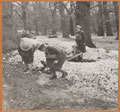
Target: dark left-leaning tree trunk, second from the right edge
{"points": [[107, 20]]}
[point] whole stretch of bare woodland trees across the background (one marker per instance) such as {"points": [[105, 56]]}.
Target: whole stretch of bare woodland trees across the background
{"points": [[100, 18]]}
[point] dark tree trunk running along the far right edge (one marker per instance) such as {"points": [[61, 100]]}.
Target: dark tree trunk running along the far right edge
{"points": [[117, 17]]}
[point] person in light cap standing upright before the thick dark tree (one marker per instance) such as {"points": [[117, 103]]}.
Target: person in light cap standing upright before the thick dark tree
{"points": [[80, 41]]}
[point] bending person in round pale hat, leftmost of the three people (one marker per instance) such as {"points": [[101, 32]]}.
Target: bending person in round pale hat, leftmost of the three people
{"points": [[26, 50]]}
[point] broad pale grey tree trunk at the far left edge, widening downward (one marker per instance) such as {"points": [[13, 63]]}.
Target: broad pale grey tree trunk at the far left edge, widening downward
{"points": [[10, 39]]}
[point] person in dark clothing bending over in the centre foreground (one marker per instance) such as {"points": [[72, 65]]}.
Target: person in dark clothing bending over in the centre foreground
{"points": [[55, 58]]}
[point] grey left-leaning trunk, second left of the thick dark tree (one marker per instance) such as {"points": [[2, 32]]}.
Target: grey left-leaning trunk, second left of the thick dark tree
{"points": [[64, 21]]}
